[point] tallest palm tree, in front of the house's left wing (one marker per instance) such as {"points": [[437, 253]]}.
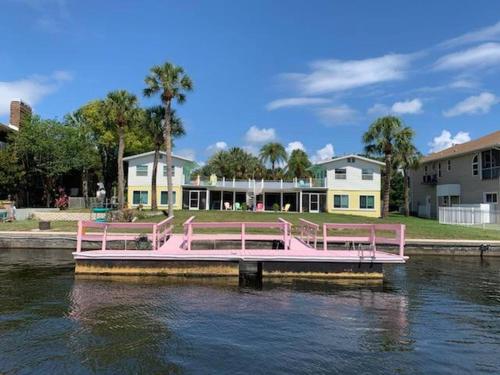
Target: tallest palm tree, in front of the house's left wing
{"points": [[171, 83]]}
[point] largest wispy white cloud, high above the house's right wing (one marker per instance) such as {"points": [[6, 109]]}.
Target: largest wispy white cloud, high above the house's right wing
{"points": [[339, 75]]}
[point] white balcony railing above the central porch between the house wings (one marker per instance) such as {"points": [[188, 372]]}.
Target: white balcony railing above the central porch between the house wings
{"points": [[258, 184]]}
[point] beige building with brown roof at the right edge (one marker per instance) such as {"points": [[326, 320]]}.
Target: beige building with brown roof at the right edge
{"points": [[467, 173]]}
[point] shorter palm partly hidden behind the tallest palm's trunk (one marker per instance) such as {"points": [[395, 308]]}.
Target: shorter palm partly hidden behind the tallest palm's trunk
{"points": [[154, 127]]}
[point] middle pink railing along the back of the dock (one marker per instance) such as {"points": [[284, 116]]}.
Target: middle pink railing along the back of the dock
{"points": [[190, 225]]}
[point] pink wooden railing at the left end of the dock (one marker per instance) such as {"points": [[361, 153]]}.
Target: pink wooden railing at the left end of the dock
{"points": [[157, 233]]}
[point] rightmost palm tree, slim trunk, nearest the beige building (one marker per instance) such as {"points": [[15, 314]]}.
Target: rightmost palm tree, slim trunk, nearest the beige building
{"points": [[407, 157]]}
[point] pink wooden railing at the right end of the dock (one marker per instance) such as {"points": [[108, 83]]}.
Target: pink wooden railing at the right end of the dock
{"points": [[371, 239]]}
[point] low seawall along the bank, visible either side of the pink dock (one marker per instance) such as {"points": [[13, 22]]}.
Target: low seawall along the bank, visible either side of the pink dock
{"points": [[415, 246]]}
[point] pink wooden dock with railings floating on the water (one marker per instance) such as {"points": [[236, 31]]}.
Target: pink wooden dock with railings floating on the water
{"points": [[233, 248]]}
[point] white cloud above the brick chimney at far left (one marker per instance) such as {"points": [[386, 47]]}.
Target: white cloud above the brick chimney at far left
{"points": [[31, 89]]}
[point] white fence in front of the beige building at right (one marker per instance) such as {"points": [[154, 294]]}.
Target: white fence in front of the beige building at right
{"points": [[469, 215]]}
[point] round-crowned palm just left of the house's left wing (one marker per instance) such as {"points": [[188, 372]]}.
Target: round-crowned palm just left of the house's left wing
{"points": [[121, 108]]}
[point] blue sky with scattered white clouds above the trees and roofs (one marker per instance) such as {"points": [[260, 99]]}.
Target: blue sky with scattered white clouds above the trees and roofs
{"points": [[310, 74]]}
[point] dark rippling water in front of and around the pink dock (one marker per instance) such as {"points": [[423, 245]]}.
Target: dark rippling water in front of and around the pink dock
{"points": [[435, 315]]}
